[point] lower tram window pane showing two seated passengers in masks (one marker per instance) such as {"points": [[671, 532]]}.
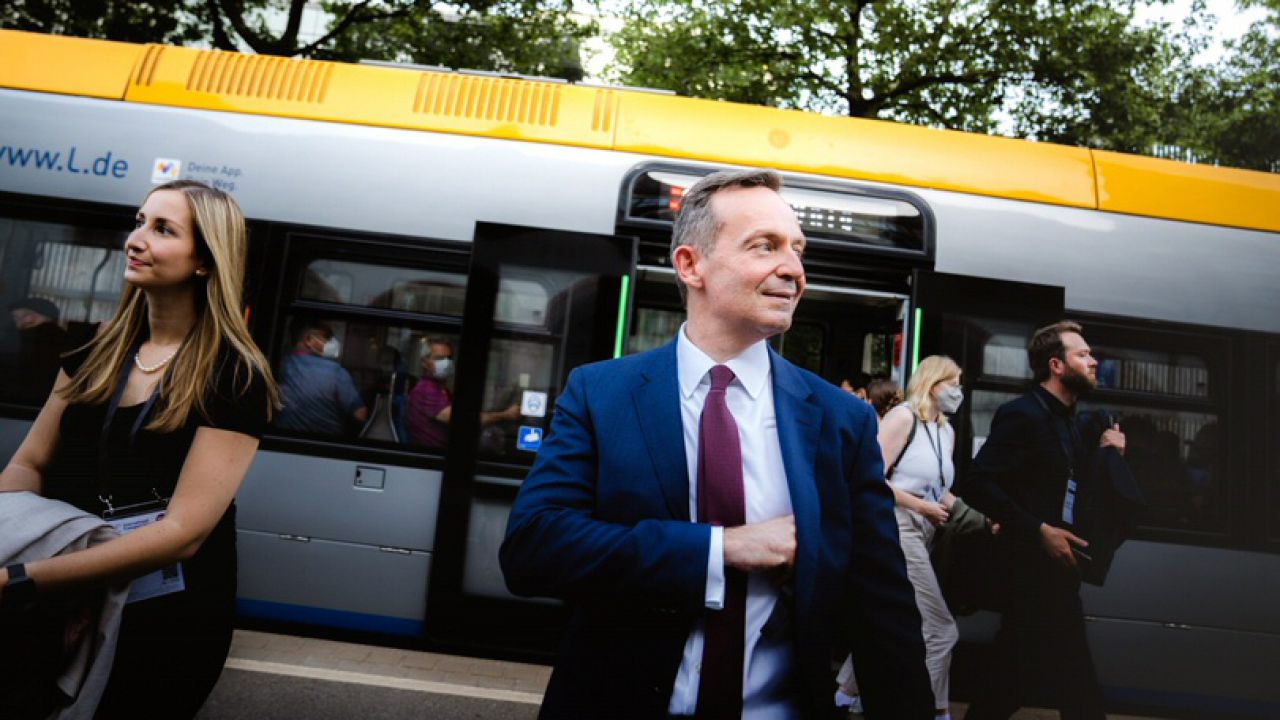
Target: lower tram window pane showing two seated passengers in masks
{"points": [[367, 381]]}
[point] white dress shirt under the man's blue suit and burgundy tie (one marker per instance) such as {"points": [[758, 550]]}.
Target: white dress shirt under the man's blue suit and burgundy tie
{"points": [[751, 402]]}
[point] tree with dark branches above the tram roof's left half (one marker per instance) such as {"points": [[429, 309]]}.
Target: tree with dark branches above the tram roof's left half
{"points": [[522, 37]]}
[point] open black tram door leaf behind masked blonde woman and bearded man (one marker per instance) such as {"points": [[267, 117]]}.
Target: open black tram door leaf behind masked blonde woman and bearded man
{"points": [[985, 326]]}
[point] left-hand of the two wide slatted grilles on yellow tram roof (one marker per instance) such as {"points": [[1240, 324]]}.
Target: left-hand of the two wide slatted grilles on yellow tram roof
{"points": [[259, 76]]}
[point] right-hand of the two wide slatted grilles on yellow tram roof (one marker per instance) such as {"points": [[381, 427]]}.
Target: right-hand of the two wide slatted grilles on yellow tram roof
{"points": [[488, 99]]}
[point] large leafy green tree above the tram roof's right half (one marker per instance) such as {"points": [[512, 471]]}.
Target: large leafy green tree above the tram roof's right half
{"points": [[1077, 72]]}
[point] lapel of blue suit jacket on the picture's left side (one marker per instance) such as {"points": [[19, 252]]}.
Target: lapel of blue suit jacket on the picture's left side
{"points": [[657, 400]]}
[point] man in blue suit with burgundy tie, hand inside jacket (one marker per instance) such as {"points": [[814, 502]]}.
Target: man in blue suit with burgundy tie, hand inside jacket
{"points": [[717, 518]]}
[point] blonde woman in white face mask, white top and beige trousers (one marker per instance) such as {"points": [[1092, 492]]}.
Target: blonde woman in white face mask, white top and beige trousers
{"points": [[921, 471]]}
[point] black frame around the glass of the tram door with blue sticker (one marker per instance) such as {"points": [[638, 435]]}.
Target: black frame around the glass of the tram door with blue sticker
{"points": [[454, 614]]}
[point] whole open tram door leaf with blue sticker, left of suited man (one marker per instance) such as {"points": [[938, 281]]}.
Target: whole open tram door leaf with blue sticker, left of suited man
{"points": [[540, 303]]}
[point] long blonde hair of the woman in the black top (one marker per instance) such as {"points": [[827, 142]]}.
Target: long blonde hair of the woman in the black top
{"points": [[222, 244]]}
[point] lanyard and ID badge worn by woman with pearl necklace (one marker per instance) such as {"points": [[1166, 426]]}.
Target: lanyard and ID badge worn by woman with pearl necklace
{"points": [[129, 518]]}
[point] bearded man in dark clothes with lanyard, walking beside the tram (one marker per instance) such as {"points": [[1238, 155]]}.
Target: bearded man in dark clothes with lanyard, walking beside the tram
{"points": [[1026, 479]]}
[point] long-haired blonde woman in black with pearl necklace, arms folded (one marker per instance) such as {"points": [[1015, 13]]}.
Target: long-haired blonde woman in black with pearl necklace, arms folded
{"points": [[158, 418]]}
